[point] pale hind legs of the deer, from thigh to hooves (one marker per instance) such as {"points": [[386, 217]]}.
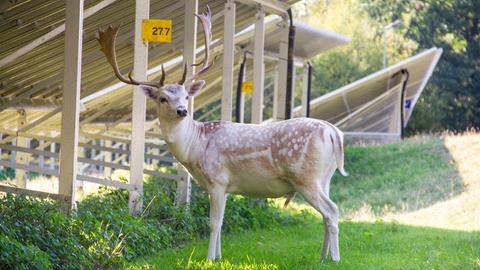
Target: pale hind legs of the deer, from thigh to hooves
{"points": [[315, 196]]}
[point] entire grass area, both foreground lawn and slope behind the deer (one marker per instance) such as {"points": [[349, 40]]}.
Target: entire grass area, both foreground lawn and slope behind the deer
{"points": [[431, 182]]}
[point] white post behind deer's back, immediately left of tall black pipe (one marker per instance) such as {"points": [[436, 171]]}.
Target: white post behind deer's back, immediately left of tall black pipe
{"points": [[282, 72]]}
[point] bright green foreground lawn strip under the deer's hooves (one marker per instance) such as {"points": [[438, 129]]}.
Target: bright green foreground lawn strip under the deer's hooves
{"points": [[363, 246]]}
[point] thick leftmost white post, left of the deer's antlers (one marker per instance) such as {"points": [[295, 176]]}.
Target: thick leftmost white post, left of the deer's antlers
{"points": [[71, 101]]}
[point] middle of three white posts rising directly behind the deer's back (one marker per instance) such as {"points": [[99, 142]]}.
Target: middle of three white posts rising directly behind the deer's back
{"points": [[258, 67]]}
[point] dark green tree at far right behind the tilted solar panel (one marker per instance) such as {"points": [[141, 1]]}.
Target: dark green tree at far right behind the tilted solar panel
{"points": [[452, 97]]}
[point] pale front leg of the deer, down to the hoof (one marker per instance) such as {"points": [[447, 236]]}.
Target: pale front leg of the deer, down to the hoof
{"points": [[217, 208]]}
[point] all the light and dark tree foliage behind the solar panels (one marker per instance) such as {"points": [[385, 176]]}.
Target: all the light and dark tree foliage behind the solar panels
{"points": [[451, 99]]}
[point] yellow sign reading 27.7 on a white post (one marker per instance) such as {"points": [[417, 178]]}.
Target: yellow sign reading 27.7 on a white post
{"points": [[157, 30]]}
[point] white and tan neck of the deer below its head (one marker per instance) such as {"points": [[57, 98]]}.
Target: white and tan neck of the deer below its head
{"points": [[182, 137]]}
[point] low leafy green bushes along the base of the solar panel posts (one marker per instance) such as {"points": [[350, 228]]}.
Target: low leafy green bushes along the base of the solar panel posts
{"points": [[102, 233]]}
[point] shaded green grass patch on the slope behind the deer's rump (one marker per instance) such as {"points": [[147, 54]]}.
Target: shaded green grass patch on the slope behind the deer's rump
{"points": [[400, 177]]}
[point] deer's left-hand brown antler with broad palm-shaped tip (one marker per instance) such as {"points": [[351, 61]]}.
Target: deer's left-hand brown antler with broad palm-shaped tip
{"points": [[107, 38]]}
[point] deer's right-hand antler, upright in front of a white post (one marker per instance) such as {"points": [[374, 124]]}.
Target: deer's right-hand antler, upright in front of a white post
{"points": [[206, 21]]}
